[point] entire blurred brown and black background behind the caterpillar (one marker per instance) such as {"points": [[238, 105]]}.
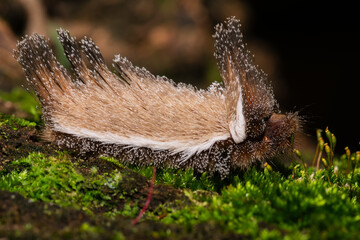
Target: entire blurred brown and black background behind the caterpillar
{"points": [[309, 49]]}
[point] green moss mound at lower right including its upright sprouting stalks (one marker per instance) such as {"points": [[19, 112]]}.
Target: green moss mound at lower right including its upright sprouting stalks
{"points": [[309, 203]]}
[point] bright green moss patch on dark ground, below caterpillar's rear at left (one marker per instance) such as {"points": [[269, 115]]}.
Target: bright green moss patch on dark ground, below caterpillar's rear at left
{"points": [[54, 179]]}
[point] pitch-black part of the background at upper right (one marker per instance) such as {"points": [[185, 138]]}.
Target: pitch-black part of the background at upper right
{"points": [[318, 47]]}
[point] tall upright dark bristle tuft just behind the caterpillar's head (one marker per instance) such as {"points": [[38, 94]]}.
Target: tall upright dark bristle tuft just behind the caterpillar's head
{"points": [[237, 68]]}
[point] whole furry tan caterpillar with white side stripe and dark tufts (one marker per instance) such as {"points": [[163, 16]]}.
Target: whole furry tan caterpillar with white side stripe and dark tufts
{"points": [[144, 119]]}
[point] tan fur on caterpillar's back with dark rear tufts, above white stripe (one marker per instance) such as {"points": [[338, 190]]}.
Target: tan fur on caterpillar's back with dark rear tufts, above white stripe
{"points": [[140, 104]]}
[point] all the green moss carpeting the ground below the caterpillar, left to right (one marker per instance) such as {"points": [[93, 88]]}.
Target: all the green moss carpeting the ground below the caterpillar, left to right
{"points": [[260, 203]]}
